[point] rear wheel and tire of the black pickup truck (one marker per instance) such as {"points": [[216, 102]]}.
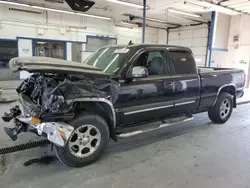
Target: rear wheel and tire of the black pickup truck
{"points": [[222, 109]]}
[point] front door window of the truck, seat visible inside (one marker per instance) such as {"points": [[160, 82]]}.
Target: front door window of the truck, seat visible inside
{"points": [[154, 61]]}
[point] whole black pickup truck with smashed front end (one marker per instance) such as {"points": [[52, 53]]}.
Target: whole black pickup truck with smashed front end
{"points": [[78, 107]]}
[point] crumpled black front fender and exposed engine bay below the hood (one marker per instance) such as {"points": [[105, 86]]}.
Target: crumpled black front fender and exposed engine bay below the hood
{"points": [[49, 92]]}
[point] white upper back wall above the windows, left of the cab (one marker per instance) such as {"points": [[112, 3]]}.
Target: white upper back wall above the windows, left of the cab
{"points": [[65, 27]]}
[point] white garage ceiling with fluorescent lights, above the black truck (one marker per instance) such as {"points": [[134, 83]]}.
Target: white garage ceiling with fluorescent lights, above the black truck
{"points": [[158, 9]]}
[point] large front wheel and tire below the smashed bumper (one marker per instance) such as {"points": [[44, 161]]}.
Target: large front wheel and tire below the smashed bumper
{"points": [[91, 132]]}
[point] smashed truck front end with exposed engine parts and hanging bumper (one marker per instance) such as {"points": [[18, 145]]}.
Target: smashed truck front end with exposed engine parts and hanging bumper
{"points": [[41, 110]]}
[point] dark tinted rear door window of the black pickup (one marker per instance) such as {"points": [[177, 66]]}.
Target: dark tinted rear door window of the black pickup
{"points": [[183, 63]]}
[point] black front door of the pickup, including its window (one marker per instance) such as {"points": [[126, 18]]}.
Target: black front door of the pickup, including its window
{"points": [[145, 99]]}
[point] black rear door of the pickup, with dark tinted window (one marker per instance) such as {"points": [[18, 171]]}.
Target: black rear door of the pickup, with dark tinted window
{"points": [[186, 81]]}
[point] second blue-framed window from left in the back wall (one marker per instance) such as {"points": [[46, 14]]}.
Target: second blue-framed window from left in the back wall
{"points": [[49, 49]]}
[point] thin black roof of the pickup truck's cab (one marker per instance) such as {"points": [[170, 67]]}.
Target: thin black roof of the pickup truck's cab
{"points": [[181, 48]]}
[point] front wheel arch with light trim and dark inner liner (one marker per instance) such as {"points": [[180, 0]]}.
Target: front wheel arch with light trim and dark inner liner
{"points": [[101, 106]]}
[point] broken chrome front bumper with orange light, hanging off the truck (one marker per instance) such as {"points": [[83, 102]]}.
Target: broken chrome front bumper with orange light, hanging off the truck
{"points": [[56, 132]]}
